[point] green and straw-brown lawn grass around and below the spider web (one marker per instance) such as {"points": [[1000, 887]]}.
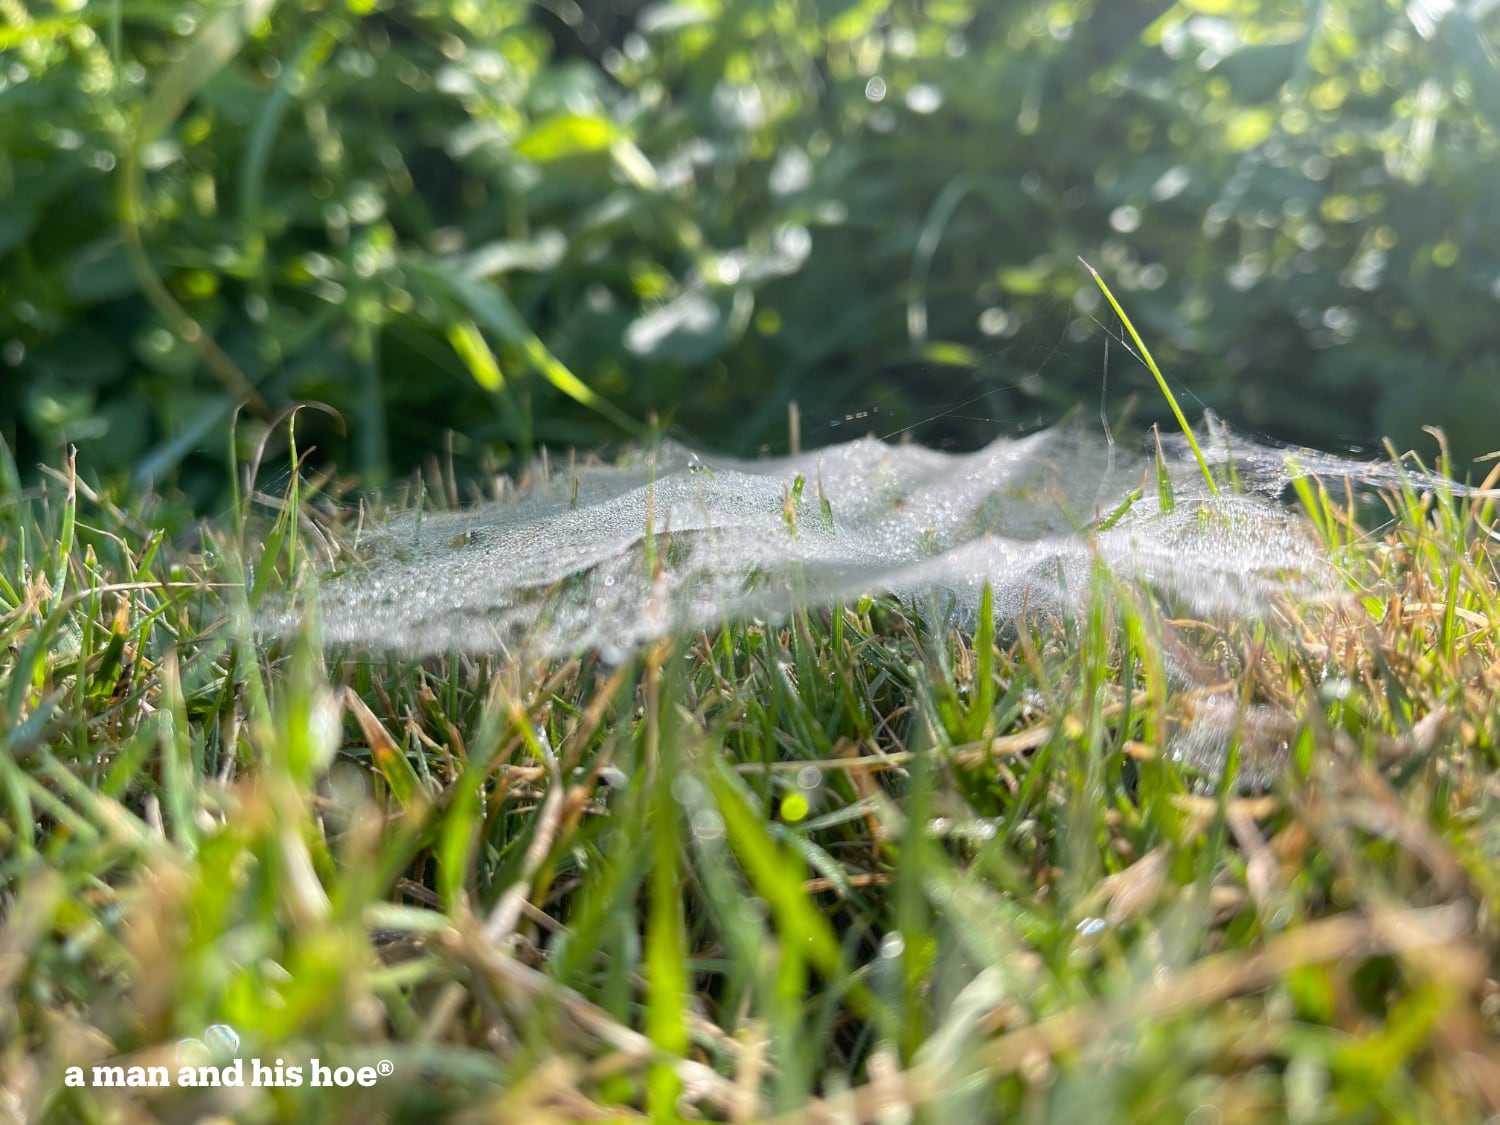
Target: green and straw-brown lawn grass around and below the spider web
{"points": [[847, 868]]}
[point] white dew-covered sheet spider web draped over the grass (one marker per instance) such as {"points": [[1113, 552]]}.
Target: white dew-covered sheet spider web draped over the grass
{"points": [[608, 559]]}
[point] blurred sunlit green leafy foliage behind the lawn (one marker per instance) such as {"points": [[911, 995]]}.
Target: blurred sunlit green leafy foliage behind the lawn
{"points": [[548, 224]]}
